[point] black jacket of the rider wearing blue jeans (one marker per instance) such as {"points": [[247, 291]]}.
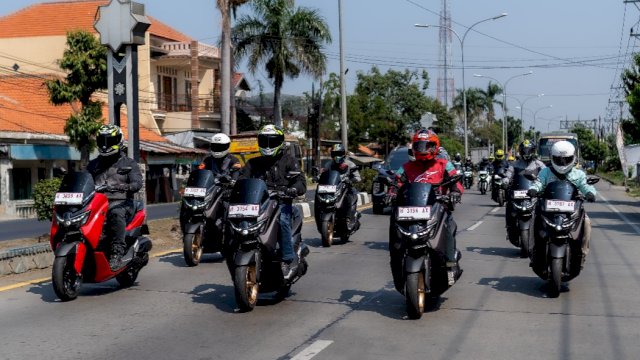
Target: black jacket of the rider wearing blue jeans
{"points": [[273, 170]]}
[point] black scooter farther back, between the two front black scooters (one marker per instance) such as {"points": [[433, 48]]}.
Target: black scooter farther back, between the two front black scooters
{"points": [[333, 215]]}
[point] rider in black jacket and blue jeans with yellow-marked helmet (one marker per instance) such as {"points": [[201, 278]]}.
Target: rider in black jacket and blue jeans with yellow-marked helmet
{"points": [[273, 167]]}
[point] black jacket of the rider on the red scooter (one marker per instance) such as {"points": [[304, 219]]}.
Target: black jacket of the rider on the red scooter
{"points": [[116, 170]]}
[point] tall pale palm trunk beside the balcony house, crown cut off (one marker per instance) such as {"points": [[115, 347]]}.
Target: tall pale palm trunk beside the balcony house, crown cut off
{"points": [[226, 7]]}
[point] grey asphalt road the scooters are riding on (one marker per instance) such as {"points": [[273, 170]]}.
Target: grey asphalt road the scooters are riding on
{"points": [[346, 308]]}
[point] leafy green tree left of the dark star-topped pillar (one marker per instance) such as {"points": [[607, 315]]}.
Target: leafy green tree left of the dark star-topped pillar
{"points": [[85, 61]]}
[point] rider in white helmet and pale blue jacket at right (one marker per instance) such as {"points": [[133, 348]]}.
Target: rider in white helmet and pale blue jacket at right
{"points": [[563, 161]]}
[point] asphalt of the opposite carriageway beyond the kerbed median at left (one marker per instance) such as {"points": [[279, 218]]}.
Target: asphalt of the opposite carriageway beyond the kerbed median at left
{"points": [[26, 228]]}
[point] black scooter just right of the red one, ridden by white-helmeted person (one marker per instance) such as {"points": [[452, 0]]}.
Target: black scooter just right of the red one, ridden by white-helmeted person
{"points": [[201, 215]]}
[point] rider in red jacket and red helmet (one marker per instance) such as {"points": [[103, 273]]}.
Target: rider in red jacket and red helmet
{"points": [[428, 168]]}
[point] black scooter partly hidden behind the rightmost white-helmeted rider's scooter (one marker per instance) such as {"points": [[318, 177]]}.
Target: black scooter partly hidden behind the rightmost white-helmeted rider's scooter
{"points": [[521, 210]]}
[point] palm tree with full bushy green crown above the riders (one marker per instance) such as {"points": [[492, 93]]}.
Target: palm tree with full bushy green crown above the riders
{"points": [[287, 40]]}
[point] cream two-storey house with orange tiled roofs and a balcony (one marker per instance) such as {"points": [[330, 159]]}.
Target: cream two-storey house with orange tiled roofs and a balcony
{"points": [[178, 77]]}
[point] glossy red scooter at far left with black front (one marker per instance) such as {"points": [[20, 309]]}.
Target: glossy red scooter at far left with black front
{"points": [[81, 250]]}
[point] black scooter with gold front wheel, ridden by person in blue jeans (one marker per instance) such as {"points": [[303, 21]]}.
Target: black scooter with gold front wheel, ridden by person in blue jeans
{"points": [[254, 257]]}
